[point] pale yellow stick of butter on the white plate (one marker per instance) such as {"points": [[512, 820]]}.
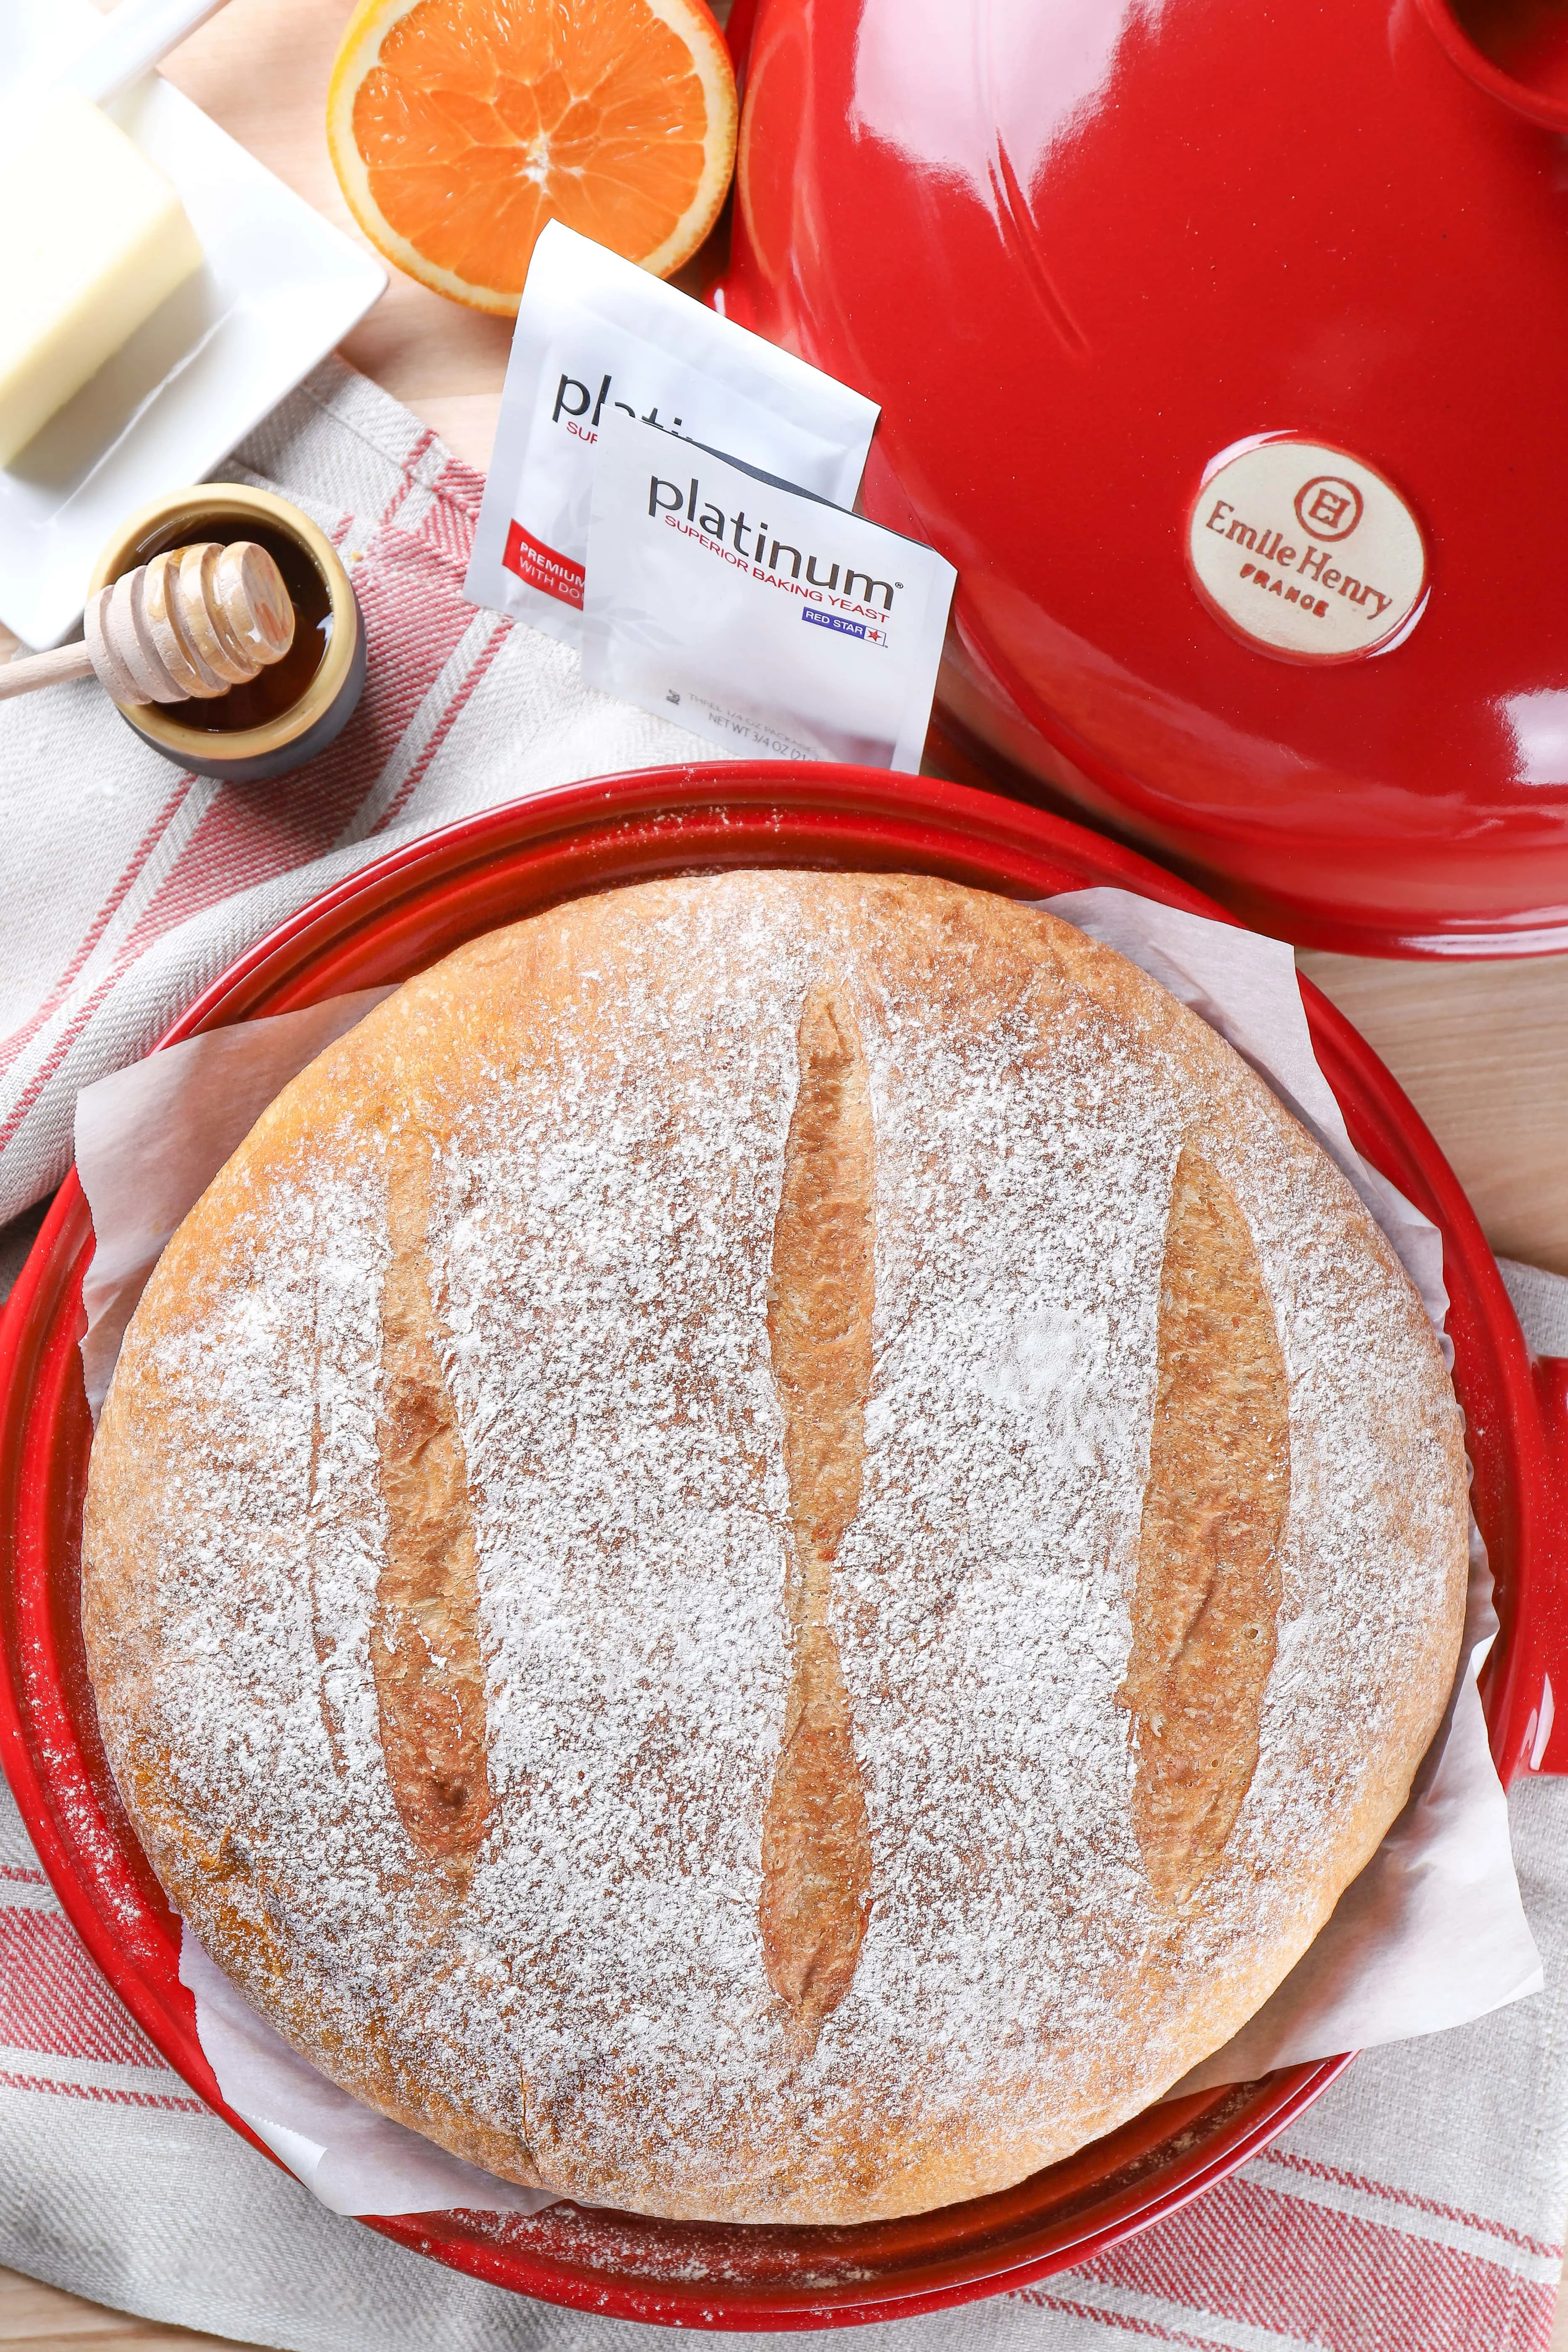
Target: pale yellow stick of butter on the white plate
{"points": [[95, 241]]}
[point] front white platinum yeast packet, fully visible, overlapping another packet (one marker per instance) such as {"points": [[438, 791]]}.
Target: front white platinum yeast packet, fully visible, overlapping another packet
{"points": [[756, 613]]}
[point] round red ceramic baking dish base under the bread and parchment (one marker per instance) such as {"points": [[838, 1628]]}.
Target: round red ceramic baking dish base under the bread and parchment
{"points": [[396, 918]]}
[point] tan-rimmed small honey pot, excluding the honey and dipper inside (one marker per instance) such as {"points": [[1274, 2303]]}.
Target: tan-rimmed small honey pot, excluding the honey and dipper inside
{"points": [[208, 502]]}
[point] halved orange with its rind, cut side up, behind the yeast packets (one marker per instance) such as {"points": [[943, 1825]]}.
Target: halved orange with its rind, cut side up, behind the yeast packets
{"points": [[460, 128]]}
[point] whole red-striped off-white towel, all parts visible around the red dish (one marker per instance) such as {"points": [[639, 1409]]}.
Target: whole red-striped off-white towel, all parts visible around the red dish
{"points": [[1416, 2207]]}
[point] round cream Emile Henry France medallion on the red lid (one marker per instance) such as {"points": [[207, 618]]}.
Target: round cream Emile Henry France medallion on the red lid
{"points": [[1306, 552]]}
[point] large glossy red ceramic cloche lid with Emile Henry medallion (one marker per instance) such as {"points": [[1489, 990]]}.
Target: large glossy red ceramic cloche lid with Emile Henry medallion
{"points": [[1226, 354]]}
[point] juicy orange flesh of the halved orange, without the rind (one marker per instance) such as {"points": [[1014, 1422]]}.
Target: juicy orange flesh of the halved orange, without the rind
{"points": [[485, 121]]}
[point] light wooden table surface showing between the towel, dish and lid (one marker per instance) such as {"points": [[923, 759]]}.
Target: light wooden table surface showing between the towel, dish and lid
{"points": [[1480, 1048]]}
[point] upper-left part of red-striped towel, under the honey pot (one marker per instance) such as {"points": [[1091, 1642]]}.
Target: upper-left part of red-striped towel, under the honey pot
{"points": [[126, 886]]}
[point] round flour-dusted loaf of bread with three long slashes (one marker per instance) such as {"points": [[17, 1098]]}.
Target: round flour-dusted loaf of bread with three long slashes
{"points": [[772, 1549]]}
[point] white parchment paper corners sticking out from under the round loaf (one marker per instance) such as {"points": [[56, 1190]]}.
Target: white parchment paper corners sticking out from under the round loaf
{"points": [[1428, 1937]]}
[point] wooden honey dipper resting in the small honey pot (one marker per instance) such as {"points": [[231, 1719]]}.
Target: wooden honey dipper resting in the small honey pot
{"points": [[187, 627]]}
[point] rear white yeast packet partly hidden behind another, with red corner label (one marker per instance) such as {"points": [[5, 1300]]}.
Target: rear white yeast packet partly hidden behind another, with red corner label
{"points": [[598, 338]]}
